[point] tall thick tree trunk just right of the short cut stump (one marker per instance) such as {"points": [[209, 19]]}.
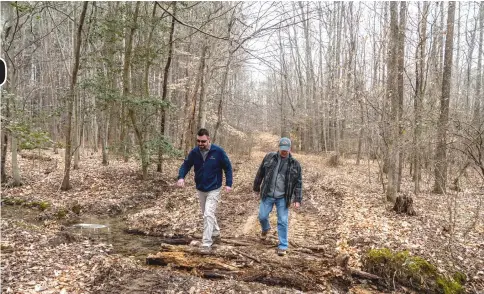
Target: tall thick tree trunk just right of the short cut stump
{"points": [[441, 152]]}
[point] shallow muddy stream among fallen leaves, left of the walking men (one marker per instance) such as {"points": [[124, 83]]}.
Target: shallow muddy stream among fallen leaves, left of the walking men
{"points": [[112, 231]]}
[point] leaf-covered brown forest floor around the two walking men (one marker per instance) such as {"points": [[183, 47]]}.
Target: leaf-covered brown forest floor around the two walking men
{"points": [[344, 214]]}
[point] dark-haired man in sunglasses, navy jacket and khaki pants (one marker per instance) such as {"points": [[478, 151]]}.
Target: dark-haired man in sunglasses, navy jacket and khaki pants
{"points": [[208, 160]]}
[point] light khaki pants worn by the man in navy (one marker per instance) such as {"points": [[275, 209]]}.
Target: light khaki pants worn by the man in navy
{"points": [[208, 204]]}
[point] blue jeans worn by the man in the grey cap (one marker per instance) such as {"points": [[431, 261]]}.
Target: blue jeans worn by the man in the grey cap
{"points": [[265, 209]]}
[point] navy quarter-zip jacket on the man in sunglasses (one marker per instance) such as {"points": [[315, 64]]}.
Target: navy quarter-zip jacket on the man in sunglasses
{"points": [[208, 173]]}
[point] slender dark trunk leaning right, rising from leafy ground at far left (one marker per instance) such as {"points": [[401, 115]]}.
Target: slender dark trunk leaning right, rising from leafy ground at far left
{"points": [[70, 103]]}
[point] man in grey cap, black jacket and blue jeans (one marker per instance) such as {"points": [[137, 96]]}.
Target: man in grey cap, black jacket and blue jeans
{"points": [[281, 178]]}
